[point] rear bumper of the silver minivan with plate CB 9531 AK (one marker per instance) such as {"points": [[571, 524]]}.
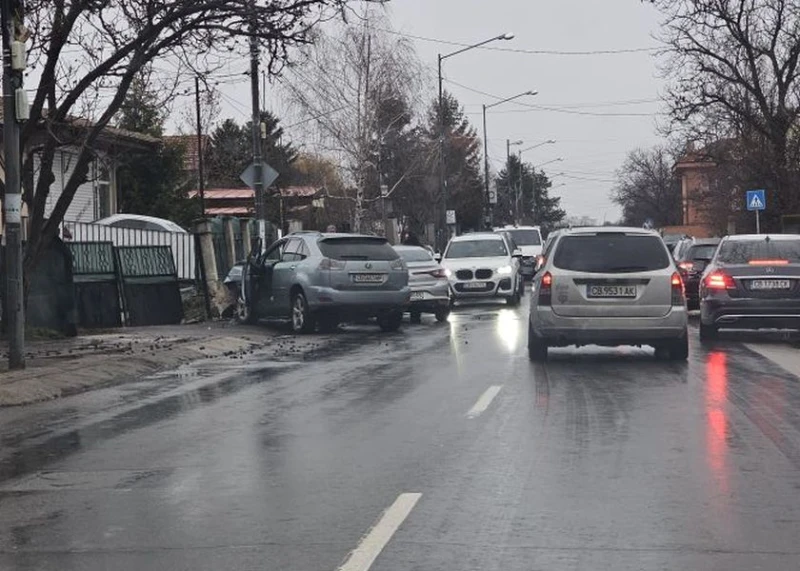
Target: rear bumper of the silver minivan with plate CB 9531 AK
{"points": [[562, 331]]}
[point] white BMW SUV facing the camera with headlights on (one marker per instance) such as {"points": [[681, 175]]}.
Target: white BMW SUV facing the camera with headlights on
{"points": [[484, 265]]}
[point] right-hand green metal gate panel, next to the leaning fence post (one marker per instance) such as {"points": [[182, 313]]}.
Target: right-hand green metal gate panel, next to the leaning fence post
{"points": [[150, 285]]}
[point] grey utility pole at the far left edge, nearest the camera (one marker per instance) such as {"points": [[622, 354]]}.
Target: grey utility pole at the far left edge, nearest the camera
{"points": [[13, 95]]}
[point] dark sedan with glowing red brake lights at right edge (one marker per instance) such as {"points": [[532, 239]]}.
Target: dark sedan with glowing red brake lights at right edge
{"points": [[753, 282]]}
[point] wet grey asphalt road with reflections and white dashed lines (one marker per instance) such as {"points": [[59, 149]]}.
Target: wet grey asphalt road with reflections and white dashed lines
{"points": [[602, 459]]}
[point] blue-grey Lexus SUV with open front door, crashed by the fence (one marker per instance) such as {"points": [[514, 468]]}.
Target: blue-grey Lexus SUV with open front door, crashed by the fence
{"points": [[313, 278]]}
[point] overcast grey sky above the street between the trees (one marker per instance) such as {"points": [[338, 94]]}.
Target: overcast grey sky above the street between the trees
{"points": [[600, 106]]}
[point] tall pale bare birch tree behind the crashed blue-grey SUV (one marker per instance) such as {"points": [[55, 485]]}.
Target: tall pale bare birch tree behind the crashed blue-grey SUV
{"points": [[344, 86]]}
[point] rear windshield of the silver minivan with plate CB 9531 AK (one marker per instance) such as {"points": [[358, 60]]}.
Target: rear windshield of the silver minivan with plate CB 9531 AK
{"points": [[611, 253]]}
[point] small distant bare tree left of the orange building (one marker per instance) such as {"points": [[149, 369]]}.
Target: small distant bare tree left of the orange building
{"points": [[647, 188]]}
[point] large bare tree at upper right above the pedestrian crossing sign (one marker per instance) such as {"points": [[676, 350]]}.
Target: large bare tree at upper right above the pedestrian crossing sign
{"points": [[734, 71]]}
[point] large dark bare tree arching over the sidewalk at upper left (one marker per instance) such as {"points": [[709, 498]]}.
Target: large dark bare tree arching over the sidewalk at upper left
{"points": [[86, 54]]}
